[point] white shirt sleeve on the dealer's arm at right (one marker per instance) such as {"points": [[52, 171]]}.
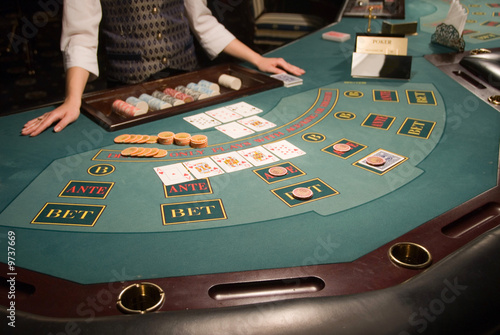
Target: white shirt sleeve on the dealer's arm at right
{"points": [[212, 35]]}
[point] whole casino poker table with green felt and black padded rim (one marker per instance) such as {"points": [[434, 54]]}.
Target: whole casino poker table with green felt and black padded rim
{"points": [[93, 242]]}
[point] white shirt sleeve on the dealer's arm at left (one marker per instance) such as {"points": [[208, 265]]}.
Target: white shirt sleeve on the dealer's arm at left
{"points": [[80, 34]]}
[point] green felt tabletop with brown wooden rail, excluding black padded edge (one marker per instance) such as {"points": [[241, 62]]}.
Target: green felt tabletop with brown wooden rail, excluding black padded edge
{"points": [[440, 194]]}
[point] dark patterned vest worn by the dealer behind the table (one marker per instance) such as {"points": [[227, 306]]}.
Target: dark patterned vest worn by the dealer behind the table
{"points": [[144, 37]]}
